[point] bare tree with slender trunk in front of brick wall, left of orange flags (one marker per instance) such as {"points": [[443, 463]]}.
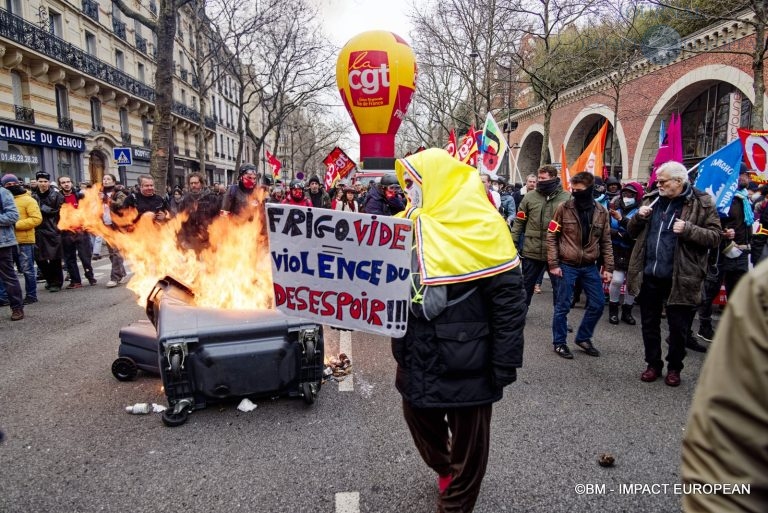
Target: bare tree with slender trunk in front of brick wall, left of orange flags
{"points": [[547, 49]]}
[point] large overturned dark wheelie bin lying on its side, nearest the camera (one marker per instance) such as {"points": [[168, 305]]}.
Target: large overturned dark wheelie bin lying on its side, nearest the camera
{"points": [[209, 354]]}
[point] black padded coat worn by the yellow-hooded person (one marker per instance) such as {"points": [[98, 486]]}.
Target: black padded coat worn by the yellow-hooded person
{"points": [[466, 355]]}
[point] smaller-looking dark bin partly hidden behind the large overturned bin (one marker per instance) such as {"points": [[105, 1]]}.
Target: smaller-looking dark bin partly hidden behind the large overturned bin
{"points": [[138, 350]]}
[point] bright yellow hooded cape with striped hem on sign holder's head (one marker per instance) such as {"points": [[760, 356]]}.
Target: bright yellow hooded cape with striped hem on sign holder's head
{"points": [[459, 235]]}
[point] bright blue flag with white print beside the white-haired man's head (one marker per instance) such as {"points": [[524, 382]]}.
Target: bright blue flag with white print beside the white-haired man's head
{"points": [[719, 175]]}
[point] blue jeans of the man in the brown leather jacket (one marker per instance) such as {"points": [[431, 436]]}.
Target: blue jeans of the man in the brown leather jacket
{"points": [[592, 285]]}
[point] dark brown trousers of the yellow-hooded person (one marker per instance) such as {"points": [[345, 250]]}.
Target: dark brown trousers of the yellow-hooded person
{"points": [[462, 452]]}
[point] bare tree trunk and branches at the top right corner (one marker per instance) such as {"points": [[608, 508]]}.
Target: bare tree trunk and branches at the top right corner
{"points": [[753, 13]]}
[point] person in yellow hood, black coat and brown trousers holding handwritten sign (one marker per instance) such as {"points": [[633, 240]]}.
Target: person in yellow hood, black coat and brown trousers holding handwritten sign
{"points": [[464, 339]]}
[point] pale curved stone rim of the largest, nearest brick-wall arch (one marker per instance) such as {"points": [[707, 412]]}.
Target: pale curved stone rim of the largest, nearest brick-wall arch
{"points": [[676, 97]]}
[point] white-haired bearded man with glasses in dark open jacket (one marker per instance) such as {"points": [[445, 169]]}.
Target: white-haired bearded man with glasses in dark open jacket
{"points": [[674, 230]]}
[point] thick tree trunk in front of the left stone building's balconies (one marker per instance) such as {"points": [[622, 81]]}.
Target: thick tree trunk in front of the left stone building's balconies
{"points": [[161, 133]]}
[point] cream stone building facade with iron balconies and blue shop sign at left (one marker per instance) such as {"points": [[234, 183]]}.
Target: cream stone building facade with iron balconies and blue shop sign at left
{"points": [[76, 83]]}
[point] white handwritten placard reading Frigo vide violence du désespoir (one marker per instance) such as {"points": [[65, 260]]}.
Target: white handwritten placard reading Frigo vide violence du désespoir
{"points": [[344, 269]]}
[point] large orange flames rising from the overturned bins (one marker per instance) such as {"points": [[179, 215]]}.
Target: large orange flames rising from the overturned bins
{"points": [[234, 272]]}
